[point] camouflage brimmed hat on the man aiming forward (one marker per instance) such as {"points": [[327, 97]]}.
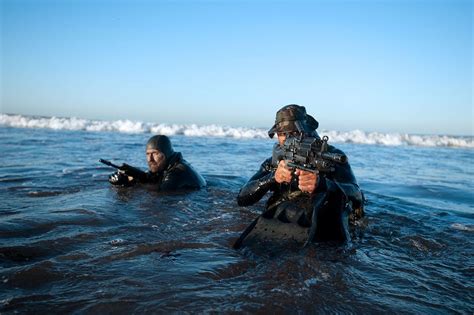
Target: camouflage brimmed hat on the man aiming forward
{"points": [[293, 118]]}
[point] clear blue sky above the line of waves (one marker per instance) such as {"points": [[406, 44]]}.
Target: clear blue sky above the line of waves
{"points": [[389, 66]]}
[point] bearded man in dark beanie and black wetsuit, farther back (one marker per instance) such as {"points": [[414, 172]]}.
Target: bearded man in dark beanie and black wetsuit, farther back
{"points": [[167, 169]]}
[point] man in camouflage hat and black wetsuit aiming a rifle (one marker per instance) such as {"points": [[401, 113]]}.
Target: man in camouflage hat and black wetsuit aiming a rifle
{"points": [[296, 193]]}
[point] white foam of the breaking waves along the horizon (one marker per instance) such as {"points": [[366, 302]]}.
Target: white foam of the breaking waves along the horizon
{"points": [[193, 130]]}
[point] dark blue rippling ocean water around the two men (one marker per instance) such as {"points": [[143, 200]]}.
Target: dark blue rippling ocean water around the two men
{"points": [[70, 242]]}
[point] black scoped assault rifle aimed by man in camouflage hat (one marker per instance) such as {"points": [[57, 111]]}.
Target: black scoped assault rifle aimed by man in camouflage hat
{"points": [[310, 154]]}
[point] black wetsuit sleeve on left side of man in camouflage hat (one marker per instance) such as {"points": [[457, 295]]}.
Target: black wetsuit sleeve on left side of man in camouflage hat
{"points": [[258, 185]]}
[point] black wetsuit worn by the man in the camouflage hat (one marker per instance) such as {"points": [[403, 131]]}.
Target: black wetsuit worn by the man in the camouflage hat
{"points": [[290, 205]]}
